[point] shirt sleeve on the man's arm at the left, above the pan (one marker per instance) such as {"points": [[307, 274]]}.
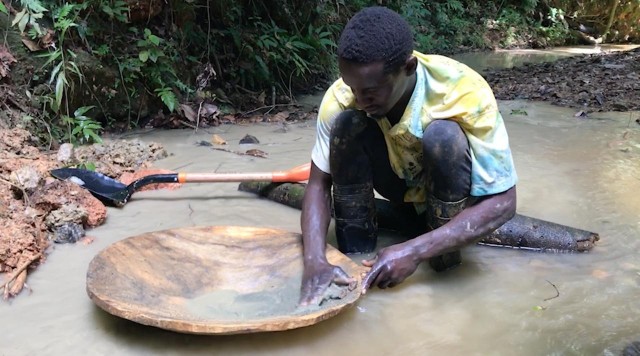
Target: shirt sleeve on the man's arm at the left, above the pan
{"points": [[329, 110]]}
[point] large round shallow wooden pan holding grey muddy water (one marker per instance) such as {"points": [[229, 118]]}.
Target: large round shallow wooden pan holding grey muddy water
{"points": [[213, 280]]}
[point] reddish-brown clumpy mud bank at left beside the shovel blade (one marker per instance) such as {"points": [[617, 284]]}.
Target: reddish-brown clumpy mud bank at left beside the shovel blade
{"points": [[37, 210]]}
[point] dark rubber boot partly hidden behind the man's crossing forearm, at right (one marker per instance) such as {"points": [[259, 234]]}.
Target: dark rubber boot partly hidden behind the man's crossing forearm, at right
{"points": [[439, 213]]}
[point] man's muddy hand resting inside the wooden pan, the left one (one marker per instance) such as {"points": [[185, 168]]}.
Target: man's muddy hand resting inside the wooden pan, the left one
{"points": [[317, 278]]}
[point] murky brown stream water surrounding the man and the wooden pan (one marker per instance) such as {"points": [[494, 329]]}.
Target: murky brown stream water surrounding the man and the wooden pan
{"points": [[579, 172]]}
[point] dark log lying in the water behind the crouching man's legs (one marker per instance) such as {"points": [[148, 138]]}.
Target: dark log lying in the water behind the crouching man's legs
{"points": [[521, 232]]}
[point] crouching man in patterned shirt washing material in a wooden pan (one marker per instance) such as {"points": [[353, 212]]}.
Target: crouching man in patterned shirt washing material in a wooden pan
{"points": [[425, 132]]}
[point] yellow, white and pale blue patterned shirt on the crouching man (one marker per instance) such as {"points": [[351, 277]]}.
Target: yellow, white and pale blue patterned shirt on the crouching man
{"points": [[445, 90]]}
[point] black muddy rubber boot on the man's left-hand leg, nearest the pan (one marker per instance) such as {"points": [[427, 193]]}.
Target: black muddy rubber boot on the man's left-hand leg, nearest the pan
{"points": [[355, 217]]}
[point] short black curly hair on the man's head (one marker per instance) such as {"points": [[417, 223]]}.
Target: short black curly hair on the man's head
{"points": [[376, 34]]}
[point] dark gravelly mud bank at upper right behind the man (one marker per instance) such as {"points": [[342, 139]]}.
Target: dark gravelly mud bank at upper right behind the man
{"points": [[607, 81]]}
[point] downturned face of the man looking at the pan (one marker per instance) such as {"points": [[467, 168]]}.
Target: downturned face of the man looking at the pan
{"points": [[375, 92]]}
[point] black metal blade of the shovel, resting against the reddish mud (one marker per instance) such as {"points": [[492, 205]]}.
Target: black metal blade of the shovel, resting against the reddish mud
{"points": [[107, 189]]}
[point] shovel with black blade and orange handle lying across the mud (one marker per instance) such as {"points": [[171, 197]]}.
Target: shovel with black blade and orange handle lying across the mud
{"points": [[116, 193]]}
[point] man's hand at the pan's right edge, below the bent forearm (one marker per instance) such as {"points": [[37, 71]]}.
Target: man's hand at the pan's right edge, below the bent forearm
{"points": [[391, 266]]}
